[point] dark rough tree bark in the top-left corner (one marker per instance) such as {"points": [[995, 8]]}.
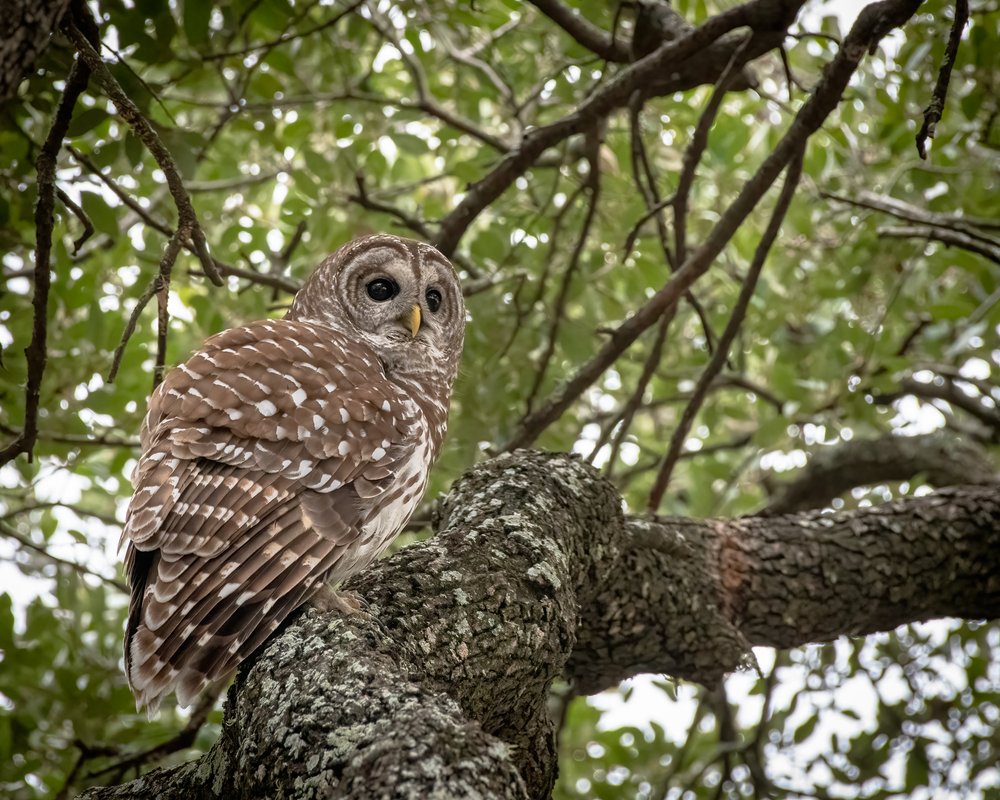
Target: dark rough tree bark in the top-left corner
{"points": [[25, 29]]}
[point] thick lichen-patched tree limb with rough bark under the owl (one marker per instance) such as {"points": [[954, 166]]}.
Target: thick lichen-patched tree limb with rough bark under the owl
{"points": [[536, 574]]}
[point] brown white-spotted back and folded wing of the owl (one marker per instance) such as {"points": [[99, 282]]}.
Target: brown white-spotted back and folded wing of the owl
{"points": [[261, 455]]}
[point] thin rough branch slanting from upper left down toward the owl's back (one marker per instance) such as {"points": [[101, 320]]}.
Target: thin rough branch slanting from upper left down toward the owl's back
{"points": [[187, 219]]}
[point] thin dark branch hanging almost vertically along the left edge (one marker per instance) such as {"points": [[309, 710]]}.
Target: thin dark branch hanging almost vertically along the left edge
{"points": [[36, 352]]}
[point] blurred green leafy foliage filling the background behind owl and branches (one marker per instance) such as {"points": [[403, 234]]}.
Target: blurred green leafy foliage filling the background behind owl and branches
{"points": [[277, 117]]}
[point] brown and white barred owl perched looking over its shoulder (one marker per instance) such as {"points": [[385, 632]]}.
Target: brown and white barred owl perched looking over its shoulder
{"points": [[284, 456]]}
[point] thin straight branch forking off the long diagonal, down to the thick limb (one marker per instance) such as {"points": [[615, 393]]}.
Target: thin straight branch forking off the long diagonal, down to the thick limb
{"points": [[728, 335]]}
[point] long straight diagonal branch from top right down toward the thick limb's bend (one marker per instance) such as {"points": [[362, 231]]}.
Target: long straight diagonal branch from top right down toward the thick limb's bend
{"points": [[874, 22]]}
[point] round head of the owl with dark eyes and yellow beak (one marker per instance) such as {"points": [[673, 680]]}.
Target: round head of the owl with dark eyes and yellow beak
{"points": [[400, 296]]}
